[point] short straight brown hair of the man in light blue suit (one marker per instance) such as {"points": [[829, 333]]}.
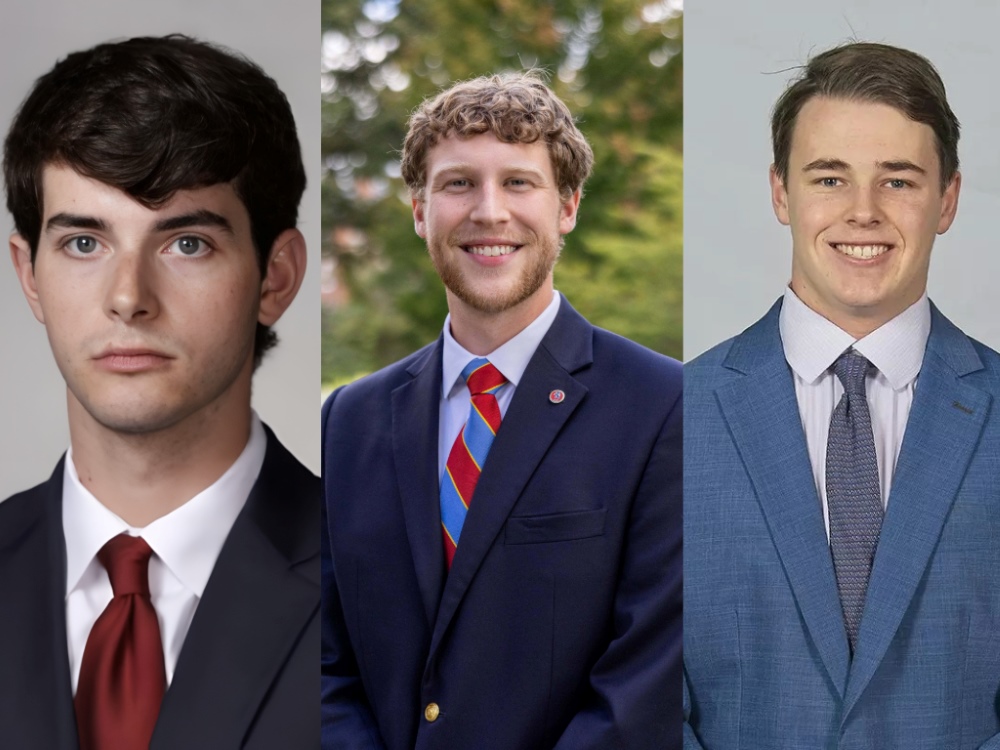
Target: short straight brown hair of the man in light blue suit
{"points": [[866, 72]]}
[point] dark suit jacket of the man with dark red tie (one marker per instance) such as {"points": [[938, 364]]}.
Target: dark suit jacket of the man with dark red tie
{"points": [[246, 675]]}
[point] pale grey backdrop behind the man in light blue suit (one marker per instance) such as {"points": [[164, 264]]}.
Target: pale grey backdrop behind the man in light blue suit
{"points": [[737, 258]]}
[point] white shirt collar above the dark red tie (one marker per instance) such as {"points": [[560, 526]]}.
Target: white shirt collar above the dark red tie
{"points": [[187, 540]]}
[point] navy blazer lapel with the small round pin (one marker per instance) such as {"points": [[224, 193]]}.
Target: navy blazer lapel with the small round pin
{"points": [[527, 431]]}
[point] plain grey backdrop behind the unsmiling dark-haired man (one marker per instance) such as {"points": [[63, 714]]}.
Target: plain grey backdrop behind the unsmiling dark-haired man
{"points": [[283, 38]]}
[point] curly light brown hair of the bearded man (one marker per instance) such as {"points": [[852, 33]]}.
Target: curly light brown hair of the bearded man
{"points": [[516, 108]]}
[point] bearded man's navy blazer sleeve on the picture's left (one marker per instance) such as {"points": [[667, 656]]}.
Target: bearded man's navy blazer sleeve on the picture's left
{"points": [[347, 719]]}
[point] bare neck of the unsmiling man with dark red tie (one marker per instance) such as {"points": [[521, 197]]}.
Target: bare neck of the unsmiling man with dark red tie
{"points": [[141, 477]]}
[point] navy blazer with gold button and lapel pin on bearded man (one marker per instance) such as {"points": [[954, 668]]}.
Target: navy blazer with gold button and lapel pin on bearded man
{"points": [[559, 622]]}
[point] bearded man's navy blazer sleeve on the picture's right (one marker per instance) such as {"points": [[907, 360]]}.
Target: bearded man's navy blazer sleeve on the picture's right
{"points": [[634, 695]]}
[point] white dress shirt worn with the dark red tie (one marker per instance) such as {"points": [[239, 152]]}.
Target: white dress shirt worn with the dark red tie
{"points": [[186, 543]]}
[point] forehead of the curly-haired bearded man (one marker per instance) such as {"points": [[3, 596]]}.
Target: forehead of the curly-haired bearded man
{"points": [[485, 152]]}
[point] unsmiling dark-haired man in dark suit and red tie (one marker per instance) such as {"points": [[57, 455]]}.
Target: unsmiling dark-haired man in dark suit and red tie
{"points": [[161, 589]]}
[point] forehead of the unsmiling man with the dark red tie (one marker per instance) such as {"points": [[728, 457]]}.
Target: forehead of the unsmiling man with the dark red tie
{"points": [[64, 190]]}
